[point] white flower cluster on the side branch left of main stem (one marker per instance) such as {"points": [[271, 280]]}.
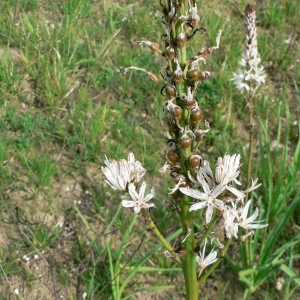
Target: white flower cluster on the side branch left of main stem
{"points": [[125, 175]]}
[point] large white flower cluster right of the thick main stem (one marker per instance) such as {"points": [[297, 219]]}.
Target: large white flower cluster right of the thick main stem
{"points": [[217, 191]]}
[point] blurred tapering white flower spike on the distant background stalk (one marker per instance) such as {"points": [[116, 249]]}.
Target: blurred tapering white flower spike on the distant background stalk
{"points": [[251, 76]]}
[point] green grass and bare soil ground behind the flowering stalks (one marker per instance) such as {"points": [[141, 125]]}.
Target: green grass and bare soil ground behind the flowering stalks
{"points": [[65, 103]]}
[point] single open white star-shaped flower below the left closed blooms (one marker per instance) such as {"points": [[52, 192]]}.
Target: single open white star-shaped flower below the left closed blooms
{"points": [[138, 200]]}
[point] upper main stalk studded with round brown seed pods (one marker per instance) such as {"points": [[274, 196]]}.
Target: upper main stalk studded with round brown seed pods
{"points": [[182, 77]]}
